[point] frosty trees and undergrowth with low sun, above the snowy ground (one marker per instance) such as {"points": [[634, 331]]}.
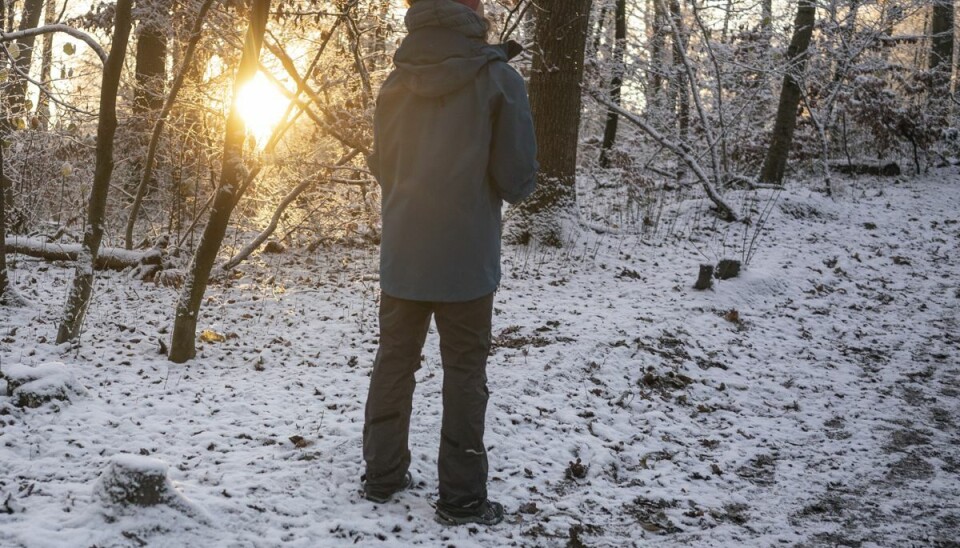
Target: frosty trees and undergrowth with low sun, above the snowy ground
{"points": [[214, 128]]}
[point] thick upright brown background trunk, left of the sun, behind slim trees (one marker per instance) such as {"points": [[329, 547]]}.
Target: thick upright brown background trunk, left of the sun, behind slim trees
{"points": [[151, 59]]}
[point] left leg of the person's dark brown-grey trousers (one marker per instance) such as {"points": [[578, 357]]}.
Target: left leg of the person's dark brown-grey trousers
{"points": [[403, 329]]}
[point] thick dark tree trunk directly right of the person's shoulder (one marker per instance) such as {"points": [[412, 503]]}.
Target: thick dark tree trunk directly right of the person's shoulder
{"points": [[555, 88]]}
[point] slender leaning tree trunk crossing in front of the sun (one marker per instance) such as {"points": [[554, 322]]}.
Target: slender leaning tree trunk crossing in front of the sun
{"points": [[182, 347]]}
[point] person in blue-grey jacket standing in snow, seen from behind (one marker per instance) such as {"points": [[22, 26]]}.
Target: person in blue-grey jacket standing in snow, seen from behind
{"points": [[453, 139]]}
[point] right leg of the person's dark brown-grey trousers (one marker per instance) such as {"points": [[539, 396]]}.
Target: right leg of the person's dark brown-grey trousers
{"points": [[464, 346]]}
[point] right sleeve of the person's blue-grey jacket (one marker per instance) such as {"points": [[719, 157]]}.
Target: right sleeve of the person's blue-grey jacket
{"points": [[513, 148]]}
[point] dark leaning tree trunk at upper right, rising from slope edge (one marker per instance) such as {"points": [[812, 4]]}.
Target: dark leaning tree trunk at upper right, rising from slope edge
{"points": [[786, 121]]}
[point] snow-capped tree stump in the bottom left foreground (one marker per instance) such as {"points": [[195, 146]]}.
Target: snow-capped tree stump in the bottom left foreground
{"points": [[133, 480]]}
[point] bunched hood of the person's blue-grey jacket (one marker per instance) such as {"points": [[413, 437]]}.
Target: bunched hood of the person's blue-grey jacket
{"points": [[445, 49]]}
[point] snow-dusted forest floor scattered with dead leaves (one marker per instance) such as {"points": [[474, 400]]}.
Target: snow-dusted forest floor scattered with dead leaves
{"points": [[813, 401]]}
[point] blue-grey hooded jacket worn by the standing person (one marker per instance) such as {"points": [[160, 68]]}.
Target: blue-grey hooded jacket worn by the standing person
{"points": [[453, 137]]}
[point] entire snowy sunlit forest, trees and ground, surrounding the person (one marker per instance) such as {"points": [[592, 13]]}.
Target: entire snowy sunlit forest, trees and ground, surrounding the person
{"points": [[188, 277]]}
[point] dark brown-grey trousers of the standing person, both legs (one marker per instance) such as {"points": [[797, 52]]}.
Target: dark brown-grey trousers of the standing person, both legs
{"points": [[464, 330]]}
